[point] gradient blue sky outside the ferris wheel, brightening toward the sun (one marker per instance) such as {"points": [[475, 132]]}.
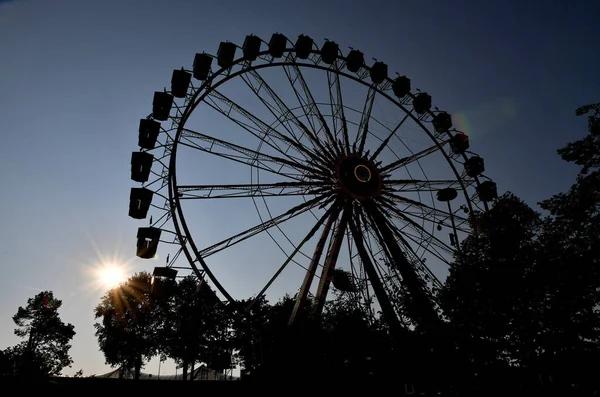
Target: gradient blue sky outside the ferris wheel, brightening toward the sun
{"points": [[76, 76]]}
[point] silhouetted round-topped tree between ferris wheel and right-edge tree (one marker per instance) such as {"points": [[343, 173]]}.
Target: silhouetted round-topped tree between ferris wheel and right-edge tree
{"points": [[488, 296]]}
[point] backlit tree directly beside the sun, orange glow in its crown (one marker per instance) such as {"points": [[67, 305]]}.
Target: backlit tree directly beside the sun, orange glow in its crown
{"points": [[127, 333]]}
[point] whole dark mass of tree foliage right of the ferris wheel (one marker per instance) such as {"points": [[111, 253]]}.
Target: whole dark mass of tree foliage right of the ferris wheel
{"points": [[525, 287]]}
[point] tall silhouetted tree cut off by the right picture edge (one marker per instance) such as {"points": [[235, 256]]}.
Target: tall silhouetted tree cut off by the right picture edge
{"points": [[571, 271]]}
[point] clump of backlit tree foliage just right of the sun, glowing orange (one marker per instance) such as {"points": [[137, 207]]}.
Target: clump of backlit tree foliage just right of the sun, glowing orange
{"points": [[183, 320]]}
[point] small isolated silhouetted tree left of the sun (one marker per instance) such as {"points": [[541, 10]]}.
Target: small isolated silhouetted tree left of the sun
{"points": [[45, 349]]}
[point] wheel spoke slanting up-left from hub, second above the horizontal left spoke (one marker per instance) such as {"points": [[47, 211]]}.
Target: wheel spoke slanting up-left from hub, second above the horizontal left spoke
{"points": [[265, 132]]}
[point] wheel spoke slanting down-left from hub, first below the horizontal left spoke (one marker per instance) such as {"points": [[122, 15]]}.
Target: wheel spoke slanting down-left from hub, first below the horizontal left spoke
{"points": [[319, 201]]}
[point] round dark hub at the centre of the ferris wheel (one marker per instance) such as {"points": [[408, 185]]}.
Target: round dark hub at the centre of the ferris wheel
{"points": [[358, 177]]}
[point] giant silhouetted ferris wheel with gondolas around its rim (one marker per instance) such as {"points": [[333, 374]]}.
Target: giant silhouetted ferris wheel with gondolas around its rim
{"points": [[287, 167]]}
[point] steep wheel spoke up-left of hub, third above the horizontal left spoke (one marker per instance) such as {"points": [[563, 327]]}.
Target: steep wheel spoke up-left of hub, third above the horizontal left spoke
{"points": [[282, 112]]}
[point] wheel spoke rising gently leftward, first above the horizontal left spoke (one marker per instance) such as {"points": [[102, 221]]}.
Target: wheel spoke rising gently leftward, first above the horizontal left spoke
{"points": [[245, 155]]}
